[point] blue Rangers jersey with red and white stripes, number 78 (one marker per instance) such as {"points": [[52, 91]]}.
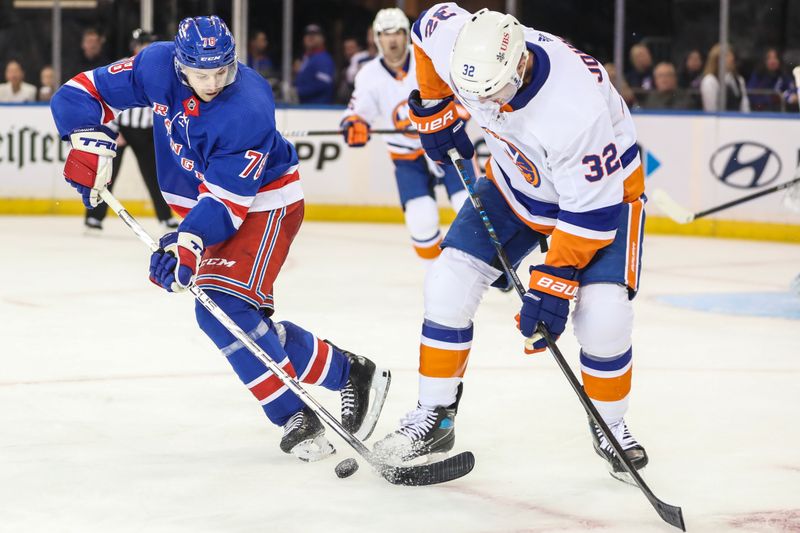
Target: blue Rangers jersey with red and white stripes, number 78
{"points": [[216, 160]]}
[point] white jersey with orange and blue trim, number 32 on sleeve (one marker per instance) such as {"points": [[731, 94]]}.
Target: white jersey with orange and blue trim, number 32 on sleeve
{"points": [[562, 149]]}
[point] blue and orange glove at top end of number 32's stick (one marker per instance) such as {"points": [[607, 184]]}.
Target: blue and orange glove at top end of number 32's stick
{"points": [[440, 128]]}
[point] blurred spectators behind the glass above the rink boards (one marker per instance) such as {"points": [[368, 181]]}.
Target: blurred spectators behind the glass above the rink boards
{"points": [[318, 79]]}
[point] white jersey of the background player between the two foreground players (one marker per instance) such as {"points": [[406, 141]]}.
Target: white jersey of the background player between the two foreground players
{"points": [[381, 99]]}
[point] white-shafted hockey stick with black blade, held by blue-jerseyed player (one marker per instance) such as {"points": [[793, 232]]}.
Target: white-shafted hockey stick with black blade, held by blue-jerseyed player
{"points": [[427, 474]]}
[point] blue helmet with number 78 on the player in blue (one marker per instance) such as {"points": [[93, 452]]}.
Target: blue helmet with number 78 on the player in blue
{"points": [[204, 43]]}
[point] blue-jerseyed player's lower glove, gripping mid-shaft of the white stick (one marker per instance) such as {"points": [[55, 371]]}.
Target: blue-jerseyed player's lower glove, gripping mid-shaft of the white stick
{"points": [[174, 265]]}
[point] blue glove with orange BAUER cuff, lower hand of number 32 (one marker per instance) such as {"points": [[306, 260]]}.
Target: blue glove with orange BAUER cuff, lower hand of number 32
{"points": [[547, 301]]}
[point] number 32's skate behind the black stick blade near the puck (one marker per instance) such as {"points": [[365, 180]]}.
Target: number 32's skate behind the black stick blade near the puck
{"points": [[423, 432]]}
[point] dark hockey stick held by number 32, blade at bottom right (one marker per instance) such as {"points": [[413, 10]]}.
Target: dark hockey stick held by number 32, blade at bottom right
{"points": [[669, 513]]}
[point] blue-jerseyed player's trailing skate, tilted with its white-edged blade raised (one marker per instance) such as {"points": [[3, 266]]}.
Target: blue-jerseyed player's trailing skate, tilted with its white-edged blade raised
{"points": [[359, 413]]}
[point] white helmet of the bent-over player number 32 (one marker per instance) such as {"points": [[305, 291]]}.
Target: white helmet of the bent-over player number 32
{"points": [[485, 56]]}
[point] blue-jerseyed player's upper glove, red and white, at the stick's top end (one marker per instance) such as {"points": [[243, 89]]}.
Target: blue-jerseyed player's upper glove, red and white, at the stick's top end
{"points": [[88, 165]]}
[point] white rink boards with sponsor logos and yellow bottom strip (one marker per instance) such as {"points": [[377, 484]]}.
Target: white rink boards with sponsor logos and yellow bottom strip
{"points": [[700, 160]]}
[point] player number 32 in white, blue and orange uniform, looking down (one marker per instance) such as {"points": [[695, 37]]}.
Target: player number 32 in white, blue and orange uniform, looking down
{"points": [[564, 163]]}
